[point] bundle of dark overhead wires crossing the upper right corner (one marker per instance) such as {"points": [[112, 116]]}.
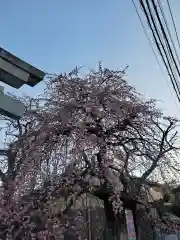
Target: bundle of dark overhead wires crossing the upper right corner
{"points": [[162, 37]]}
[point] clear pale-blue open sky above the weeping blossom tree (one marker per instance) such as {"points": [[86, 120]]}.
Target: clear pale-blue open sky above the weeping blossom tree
{"points": [[57, 35]]}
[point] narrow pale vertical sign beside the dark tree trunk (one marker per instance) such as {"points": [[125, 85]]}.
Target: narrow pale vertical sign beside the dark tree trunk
{"points": [[130, 225]]}
